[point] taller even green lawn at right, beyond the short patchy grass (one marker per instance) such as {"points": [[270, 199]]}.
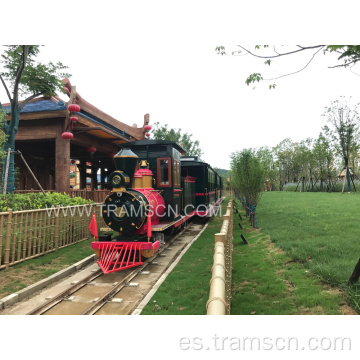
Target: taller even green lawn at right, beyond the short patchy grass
{"points": [[321, 230]]}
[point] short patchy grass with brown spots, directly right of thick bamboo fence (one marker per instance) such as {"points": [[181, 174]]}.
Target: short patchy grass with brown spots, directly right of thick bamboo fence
{"points": [[266, 282]]}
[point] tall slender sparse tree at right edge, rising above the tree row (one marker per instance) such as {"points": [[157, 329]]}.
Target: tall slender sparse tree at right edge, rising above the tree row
{"points": [[343, 130]]}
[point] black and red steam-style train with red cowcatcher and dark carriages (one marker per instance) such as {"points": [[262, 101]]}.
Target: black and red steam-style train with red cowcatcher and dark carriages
{"points": [[155, 188]]}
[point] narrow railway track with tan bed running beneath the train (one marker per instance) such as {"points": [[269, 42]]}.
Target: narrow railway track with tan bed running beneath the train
{"points": [[108, 289]]}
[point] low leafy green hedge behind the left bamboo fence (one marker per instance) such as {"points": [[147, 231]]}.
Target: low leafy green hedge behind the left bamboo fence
{"points": [[18, 202]]}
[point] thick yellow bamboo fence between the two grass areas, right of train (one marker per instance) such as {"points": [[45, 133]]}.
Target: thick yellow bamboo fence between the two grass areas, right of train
{"points": [[220, 284]]}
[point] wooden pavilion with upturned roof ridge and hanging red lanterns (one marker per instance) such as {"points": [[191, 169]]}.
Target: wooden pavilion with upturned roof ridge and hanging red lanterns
{"points": [[96, 139]]}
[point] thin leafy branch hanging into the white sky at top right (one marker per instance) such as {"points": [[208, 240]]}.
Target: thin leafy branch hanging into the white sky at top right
{"points": [[348, 54]]}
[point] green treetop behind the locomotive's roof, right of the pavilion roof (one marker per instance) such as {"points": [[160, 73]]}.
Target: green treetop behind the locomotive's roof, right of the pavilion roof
{"points": [[162, 132]]}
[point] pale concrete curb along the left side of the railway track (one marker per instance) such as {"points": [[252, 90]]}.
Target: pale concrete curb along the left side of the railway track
{"points": [[28, 291]]}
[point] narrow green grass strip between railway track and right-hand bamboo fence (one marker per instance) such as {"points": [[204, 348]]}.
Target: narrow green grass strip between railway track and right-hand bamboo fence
{"points": [[186, 289]]}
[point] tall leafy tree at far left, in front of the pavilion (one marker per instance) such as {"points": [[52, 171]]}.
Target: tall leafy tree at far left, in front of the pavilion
{"points": [[27, 78]]}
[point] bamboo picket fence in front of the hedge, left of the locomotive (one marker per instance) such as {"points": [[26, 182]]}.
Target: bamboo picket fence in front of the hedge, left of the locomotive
{"points": [[30, 233]]}
